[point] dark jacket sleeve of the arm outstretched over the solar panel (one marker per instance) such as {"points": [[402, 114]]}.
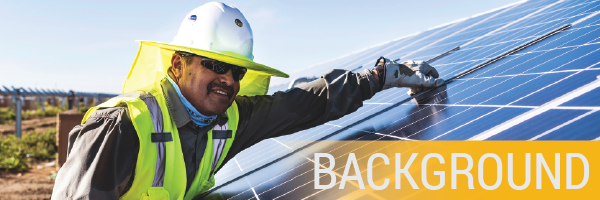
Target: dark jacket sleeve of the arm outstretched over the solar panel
{"points": [[335, 94]]}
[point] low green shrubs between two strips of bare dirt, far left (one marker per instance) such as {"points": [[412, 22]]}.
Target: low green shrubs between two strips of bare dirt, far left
{"points": [[16, 153]]}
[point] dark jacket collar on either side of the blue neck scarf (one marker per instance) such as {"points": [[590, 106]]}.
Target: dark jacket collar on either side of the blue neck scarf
{"points": [[177, 109]]}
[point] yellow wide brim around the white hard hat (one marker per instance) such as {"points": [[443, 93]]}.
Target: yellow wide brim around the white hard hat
{"points": [[224, 56]]}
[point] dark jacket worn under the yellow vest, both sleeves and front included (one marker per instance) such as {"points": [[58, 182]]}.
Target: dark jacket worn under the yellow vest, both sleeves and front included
{"points": [[102, 153]]}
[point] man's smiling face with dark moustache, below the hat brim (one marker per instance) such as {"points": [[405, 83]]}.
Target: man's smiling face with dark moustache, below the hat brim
{"points": [[210, 93]]}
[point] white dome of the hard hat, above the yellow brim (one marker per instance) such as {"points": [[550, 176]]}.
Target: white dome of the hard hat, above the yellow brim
{"points": [[218, 27]]}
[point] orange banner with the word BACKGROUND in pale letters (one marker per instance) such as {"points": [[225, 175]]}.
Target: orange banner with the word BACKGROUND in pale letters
{"points": [[456, 169]]}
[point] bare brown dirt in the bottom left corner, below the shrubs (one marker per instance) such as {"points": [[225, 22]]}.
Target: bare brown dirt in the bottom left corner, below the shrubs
{"points": [[34, 184]]}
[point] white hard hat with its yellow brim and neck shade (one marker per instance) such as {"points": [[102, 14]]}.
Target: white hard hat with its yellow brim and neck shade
{"points": [[214, 30]]}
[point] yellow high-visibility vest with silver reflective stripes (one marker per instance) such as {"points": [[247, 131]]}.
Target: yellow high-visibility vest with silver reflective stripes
{"points": [[160, 169]]}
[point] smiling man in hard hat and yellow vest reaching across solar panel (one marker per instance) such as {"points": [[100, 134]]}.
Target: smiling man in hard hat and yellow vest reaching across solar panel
{"points": [[190, 106]]}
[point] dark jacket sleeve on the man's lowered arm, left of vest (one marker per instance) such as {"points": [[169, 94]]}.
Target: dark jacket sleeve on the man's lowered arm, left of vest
{"points": [[101, 158]]}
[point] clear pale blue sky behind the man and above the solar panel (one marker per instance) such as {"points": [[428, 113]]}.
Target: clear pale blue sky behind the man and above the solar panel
{"points": [[89, 46]]}
